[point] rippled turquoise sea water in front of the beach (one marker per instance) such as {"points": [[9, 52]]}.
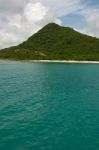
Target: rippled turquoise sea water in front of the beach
{"points": [[49, 106]]}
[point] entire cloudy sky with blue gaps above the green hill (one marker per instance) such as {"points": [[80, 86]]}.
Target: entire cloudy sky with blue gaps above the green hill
{"points": [[19, 19]]}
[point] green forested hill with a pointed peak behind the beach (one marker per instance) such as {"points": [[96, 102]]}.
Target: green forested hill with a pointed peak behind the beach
{"points": [[57, 43]]}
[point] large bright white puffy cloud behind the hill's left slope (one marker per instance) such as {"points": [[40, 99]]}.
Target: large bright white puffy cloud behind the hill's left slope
{"points": [[20, 26]]}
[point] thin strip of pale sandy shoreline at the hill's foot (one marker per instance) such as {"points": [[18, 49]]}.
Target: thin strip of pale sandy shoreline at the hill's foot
{"points": [[56, 61]]}
